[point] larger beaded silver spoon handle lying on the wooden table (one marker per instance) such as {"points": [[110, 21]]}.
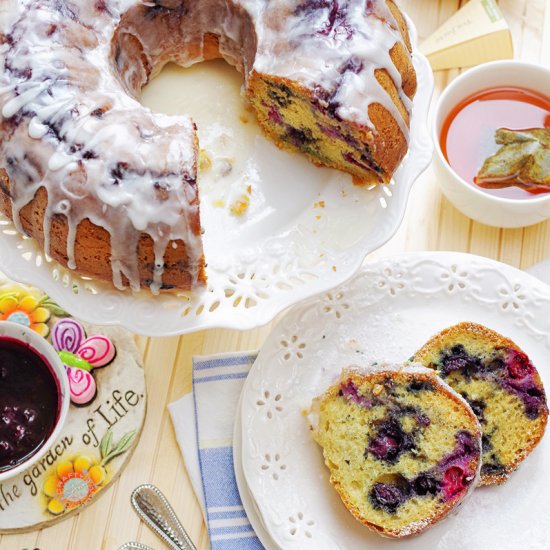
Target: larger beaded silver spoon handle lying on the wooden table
{"points": [[153, 508]]}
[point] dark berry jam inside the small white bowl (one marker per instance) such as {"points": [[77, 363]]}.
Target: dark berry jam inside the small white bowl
{"points": [[29, 403]]}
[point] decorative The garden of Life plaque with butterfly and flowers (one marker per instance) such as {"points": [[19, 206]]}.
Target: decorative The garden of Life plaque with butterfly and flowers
{"points": [[104, 421]]}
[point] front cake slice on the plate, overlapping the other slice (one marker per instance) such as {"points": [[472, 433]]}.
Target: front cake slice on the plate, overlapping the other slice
{"points": [[403, 449]]}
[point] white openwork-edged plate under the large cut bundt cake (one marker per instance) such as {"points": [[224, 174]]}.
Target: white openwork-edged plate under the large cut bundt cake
{"points": [[307, 229]]}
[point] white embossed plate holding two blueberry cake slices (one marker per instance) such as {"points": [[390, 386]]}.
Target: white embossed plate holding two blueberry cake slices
{"points": [[387, 312]]}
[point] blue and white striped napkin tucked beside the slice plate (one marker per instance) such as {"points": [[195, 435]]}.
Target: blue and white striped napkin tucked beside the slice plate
{"points": [[203, 422]]}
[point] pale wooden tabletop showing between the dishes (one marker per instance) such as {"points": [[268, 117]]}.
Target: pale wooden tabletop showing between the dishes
{"points": [[431, 223]]}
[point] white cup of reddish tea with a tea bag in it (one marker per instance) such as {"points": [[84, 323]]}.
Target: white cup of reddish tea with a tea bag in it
{"points": [[492, 133]]}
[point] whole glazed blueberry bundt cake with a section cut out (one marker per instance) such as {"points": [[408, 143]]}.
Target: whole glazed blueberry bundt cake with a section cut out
{"points": [[109, 188]]}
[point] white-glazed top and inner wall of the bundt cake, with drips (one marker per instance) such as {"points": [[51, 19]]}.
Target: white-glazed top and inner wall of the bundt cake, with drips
{"points": [[71, 74]]}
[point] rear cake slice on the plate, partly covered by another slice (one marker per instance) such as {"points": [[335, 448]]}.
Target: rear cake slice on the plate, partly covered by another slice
{"points": [[501, 385]]}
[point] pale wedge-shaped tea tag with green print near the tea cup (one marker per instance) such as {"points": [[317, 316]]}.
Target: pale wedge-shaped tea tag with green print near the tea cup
{"points": [[476, 34]]}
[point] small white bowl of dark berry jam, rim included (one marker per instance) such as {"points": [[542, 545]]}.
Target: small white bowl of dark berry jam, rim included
{"points": [[34, 398]]}
